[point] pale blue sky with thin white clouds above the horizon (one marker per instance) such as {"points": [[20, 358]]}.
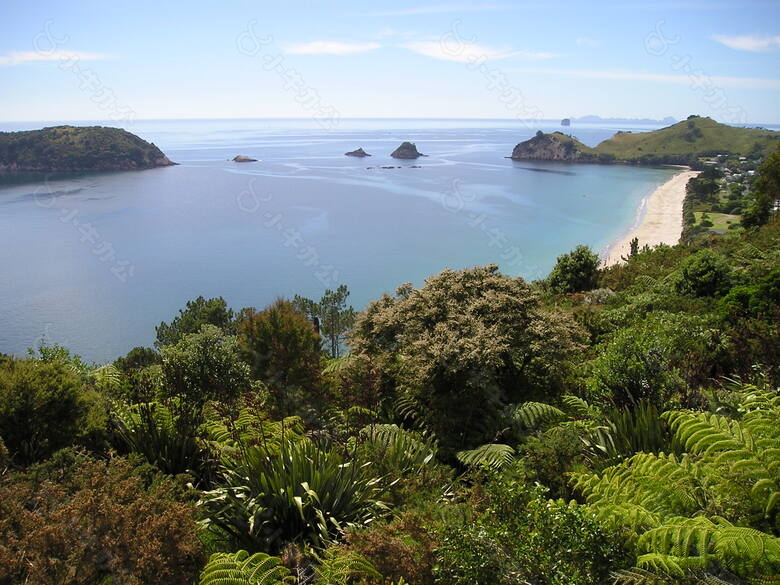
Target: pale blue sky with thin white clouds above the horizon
{"points": [[125, 61]]}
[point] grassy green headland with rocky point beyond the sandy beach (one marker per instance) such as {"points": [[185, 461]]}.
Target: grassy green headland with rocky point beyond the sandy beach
{"points": [[681, 143]]}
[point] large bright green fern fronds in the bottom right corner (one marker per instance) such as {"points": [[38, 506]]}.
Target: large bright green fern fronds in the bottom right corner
{"points": [[712, 510]]}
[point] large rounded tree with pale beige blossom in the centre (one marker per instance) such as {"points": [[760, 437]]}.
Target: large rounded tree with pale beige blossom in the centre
{"points": [[455, 351]]}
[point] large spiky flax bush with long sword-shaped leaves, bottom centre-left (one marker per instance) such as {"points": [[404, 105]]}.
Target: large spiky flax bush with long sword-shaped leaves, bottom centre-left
{"points": [[302, 494]]}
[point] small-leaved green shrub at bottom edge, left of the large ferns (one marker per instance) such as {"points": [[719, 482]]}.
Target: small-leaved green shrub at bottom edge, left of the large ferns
{"points": [[521, 536]]}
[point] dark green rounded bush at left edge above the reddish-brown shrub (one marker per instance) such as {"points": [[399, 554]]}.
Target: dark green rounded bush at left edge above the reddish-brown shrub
{"points": [[41, 406]]}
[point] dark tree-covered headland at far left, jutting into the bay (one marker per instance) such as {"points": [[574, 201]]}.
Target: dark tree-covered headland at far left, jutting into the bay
{"points": [[71, 148]]}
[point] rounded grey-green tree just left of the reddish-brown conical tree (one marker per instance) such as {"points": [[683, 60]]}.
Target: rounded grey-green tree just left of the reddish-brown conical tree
{"points": [[204, 366]]}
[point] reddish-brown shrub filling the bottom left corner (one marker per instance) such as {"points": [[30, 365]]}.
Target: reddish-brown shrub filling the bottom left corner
{"points": [[78, 521]]}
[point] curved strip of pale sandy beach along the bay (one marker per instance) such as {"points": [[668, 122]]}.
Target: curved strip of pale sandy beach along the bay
{"points": [[661, 222]]}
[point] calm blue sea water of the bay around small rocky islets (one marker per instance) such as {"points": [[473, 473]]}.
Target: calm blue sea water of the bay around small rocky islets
{"points": [[303, 218]]}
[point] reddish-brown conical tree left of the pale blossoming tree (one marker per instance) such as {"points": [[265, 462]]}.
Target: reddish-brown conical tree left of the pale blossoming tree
{"points": [[283, 350]]}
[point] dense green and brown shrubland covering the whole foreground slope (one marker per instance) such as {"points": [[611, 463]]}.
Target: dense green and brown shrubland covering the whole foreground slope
{"points": [[603, 425]]}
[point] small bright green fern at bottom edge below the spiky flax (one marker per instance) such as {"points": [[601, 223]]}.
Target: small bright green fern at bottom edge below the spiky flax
{"points": [[241, 568]]}
